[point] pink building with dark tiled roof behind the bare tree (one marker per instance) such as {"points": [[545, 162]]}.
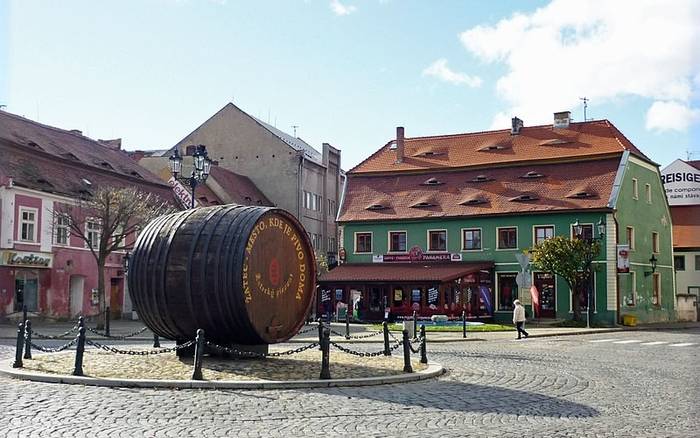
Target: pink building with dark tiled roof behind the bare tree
{"points": [[41, 265]]}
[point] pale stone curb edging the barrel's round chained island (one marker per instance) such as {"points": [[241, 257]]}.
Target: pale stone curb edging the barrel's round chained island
{"points": [[434, 370]]}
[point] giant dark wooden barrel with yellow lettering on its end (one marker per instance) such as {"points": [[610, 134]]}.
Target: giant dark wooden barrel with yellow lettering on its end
{"points": [[246, 275]]}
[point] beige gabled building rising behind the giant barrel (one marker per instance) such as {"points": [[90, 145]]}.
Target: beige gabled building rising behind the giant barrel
{"points": [[290, 172]]}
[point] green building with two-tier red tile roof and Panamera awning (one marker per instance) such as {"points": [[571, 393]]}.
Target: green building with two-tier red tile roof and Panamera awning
{"points": [[437, 224]]}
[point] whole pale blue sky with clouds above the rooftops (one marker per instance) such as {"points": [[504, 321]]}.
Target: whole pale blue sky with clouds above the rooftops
{"points": [[347, 72]]}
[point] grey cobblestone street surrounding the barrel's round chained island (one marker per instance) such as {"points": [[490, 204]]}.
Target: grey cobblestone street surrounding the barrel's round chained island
{"points": [[565, 386]]}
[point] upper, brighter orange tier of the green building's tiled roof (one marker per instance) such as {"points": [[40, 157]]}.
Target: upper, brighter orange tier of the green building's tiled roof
{"points": [[584, 139]]}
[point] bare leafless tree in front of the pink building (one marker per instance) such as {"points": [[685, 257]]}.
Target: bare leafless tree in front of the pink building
{"points": [[104, 219]]}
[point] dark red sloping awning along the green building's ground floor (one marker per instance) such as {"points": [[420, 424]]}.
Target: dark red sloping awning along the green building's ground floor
{"points": [[402, 272]]}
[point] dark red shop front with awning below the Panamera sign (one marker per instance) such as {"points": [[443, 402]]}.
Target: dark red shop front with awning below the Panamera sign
{"points": [[375, 291]]}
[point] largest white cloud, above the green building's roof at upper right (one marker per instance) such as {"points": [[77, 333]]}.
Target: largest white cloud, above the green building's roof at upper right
{"points": [[600, 49]]}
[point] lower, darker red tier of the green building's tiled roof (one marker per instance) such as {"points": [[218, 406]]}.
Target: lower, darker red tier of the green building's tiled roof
{"points": [[561, 186]]}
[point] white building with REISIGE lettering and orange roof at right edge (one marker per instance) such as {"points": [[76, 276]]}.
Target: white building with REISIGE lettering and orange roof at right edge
{"points": [[682, 183]]}
